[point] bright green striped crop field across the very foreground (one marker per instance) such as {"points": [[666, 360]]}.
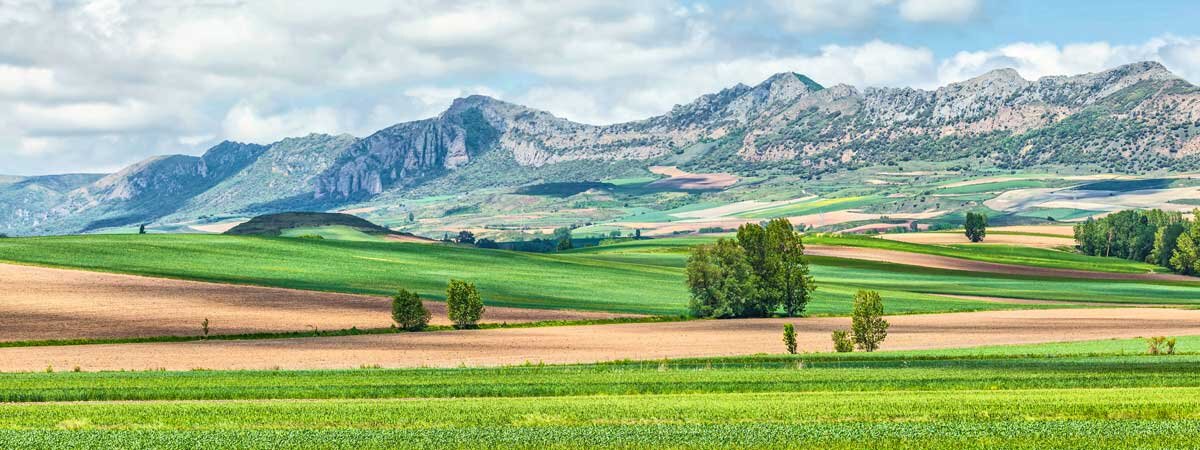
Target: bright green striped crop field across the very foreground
{"points": [[1022, 397]]}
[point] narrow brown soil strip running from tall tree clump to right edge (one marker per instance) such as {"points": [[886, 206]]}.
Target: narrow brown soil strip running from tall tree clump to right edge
{"points": [[940, 262]]}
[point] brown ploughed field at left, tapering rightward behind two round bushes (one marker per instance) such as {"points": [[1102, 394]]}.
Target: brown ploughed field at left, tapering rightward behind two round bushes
{"points": [[55, 304]]}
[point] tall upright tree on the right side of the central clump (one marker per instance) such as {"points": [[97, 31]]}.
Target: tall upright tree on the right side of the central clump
{"points": [[791, 283]]}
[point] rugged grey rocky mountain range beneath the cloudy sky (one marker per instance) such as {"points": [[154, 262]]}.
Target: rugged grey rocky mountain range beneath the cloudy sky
{"points": [[1131, 119]]}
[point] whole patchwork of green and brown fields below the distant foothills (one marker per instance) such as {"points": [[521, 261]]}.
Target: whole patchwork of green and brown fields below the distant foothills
{"points": [[991, 346]]}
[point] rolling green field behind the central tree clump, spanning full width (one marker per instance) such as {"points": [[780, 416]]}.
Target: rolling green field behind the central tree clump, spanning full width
{"points": [[638, 278]]}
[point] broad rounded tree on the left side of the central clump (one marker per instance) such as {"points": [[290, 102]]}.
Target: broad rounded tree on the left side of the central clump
{"points": [[719, 280]]}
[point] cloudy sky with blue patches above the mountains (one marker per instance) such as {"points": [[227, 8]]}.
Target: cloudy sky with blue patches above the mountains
{"points": [[97, 86]]}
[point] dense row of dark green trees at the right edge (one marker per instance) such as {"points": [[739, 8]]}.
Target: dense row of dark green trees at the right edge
{"points": [[1156, 237]]}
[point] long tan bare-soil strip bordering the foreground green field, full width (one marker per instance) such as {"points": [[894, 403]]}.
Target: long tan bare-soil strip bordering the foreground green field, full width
{"points": [[577, 345]]}
